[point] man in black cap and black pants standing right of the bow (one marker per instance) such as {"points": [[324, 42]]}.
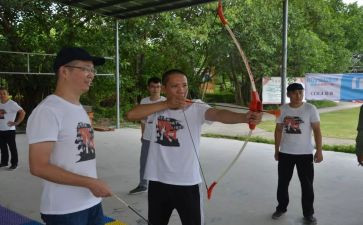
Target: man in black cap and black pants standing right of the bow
{"points": [[293, 146]]}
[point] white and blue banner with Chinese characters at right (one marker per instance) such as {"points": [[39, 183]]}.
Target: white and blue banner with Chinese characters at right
{"points": [[335, 87]]}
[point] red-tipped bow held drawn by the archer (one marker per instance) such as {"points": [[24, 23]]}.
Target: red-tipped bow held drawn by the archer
{"points": [[255, 104]]}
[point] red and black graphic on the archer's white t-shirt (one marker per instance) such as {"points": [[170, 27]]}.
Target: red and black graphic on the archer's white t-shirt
{"points": [[166, 129]]}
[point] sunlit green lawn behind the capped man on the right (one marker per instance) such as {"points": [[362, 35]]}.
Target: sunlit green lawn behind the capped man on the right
{"points": [[338, 124]]}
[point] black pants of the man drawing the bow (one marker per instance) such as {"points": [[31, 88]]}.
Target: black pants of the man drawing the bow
{"points": [[164, 198]]}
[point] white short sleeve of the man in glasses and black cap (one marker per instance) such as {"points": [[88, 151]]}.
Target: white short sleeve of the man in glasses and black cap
{"points": [[42, 126]]}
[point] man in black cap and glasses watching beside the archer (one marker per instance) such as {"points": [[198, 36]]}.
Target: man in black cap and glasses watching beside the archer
{"points": [[61, 145]]}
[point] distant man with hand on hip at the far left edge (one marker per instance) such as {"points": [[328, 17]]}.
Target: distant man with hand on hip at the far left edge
{"points": [[8, 112]]}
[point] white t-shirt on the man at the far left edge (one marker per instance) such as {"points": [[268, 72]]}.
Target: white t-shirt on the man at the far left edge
{"points": [[8, 112]]}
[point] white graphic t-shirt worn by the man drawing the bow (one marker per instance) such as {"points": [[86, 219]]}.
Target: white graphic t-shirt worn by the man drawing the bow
{"points": [[172, 158]]}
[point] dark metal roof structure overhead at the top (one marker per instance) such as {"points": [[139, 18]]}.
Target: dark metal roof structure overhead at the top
{"points": [[123, 9]]}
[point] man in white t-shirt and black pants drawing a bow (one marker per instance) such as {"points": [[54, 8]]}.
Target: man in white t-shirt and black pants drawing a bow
{"points": [[172, 167]]}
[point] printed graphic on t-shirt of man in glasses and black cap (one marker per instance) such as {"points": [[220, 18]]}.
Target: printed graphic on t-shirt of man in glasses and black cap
{"points": [[85, 135]]}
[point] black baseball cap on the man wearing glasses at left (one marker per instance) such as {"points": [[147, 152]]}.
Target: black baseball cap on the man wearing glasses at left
{"points": [[68, 54]]}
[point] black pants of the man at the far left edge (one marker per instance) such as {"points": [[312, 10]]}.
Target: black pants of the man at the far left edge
{"points": [[7, 138]]}
